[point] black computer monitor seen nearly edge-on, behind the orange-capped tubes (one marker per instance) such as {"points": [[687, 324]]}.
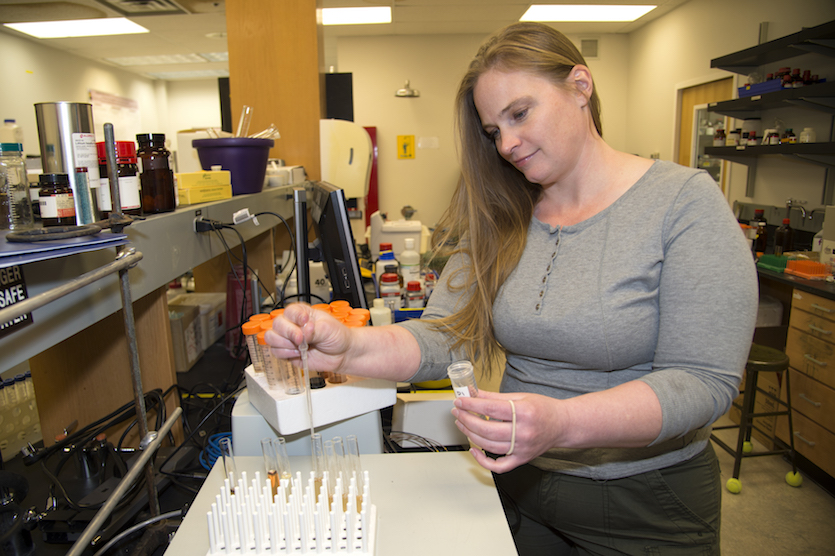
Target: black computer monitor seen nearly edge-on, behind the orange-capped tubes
{"points": [[336, 242]]}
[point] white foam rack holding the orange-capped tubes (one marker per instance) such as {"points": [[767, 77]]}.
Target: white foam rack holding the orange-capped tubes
{"points": [[288, 414]]}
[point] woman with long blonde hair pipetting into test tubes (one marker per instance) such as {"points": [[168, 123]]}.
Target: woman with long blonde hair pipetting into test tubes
{"points": [[619, 289]]}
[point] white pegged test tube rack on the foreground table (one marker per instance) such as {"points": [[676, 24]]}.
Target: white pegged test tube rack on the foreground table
{"points": [[251, 520]]}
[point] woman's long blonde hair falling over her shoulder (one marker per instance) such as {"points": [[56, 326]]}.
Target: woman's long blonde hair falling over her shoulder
{"points": [[488, 217]]}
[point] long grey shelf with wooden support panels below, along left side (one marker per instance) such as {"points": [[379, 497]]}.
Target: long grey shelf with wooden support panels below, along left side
{"points": [[75, 345]]}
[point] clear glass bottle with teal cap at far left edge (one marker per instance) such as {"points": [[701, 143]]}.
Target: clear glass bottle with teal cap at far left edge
{"points": [[15, 204]]}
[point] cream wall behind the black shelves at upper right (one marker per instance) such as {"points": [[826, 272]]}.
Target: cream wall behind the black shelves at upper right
{"points": [[676, 50]]}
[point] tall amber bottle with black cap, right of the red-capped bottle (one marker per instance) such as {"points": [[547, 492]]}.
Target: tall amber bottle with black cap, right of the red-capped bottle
{"points": [[157, 179]]}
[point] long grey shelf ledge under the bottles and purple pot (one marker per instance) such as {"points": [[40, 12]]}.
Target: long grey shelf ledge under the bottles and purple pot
{"points": [[170, 248]]}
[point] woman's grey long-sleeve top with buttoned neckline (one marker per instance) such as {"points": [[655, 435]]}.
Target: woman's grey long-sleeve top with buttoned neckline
{"points": [[659, 287]]}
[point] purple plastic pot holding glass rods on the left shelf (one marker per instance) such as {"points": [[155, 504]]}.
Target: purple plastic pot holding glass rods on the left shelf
{"points": [[244, 157]]}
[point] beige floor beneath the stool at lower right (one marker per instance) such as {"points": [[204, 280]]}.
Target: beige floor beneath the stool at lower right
{"points": [[769, 517]]}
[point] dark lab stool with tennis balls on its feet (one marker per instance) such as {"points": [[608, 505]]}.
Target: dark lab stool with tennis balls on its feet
{"points": [[760, 359]]}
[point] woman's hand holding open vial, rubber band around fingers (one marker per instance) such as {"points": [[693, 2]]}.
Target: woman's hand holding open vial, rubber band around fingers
{"points": [[540, 423]]}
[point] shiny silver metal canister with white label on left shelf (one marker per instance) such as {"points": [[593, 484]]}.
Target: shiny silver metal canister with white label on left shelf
{"points": [[68, 146]]}
